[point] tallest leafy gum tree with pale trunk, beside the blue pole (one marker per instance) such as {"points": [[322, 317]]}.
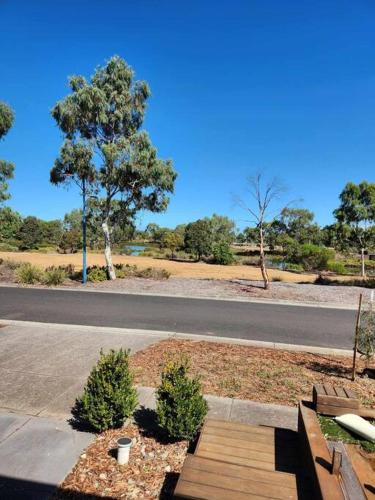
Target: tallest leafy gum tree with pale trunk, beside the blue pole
{"points": [[104, 117]]}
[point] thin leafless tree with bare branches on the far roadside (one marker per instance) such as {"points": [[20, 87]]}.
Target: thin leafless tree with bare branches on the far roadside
{"points": [[263, 194]]}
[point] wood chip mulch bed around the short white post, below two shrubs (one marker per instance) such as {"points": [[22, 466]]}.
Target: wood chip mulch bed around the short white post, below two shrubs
{"points": [[152, 471]]}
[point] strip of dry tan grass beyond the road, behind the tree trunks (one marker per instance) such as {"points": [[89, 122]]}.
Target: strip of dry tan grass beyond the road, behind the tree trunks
{"points": [[180, 269]]}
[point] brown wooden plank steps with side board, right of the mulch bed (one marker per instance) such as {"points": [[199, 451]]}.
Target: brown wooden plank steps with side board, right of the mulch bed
{"points": [[236, 461]]}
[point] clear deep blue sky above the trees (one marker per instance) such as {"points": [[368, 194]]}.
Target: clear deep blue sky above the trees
{"points": [[237, 86]]}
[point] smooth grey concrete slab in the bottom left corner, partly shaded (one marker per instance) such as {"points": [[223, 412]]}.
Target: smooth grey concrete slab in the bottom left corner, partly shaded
{"points": [[35, 455]]}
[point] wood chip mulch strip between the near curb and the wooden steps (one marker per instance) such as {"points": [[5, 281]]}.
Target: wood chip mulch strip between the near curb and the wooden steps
{"points": [[265, 375]]}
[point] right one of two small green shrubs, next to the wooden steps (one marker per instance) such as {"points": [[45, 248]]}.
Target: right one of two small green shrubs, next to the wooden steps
{"points": [[181, 407]]}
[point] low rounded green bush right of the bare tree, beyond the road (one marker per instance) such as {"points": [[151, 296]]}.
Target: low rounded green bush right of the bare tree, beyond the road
{"points": [[311, 257]]}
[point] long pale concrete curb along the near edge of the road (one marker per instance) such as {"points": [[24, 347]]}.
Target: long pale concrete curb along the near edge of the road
{"points": [[332, 351]]}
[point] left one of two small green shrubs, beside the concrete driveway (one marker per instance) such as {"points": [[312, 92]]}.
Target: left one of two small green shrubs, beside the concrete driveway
{"points": [[109, 397]]}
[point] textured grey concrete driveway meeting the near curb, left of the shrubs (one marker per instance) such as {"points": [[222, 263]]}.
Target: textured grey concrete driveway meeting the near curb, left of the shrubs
{"points": [[44, 368]]}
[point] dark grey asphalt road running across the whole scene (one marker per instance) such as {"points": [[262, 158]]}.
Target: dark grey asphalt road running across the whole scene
{"points": [[244, 320]]}
